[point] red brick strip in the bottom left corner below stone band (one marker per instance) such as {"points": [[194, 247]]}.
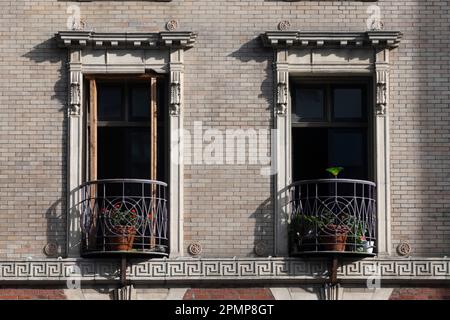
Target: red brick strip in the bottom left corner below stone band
{"points": [[31, 294]]}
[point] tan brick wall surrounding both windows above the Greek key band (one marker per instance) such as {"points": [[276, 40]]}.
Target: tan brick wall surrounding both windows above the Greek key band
{"points": [[228, 85]]}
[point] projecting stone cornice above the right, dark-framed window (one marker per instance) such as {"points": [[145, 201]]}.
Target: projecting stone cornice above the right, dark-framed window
{"points": [[277, 39]]}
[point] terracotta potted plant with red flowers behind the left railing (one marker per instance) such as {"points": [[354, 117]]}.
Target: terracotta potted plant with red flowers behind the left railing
{"points": [[123, 228]]}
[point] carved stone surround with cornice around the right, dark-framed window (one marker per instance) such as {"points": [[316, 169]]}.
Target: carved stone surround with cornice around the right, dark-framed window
{"points": [[331, 53]]}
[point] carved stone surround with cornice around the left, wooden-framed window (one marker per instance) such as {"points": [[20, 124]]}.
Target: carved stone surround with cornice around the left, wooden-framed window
{"points": [[123, 53]]}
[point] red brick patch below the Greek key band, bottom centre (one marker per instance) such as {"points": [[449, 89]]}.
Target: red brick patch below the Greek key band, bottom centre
{"points": [[228, 294]]}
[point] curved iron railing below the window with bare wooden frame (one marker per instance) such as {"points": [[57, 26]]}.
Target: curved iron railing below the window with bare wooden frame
{"points": [[124, 216]]}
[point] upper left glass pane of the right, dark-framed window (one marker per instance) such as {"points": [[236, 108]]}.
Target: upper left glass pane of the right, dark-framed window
{"points": [[309, 103]]}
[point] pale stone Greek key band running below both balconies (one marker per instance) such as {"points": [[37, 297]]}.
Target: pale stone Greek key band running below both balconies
{"points": [[241, 270]]}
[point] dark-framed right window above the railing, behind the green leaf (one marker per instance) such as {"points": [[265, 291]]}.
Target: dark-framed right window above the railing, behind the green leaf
{"points": [[330, 127]]}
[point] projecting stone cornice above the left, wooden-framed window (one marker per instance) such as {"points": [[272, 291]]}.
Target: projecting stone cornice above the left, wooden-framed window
{"points": [[77, 39]]}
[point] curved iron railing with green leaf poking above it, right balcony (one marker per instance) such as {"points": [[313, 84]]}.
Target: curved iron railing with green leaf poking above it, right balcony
{"points": [[332, 215]]}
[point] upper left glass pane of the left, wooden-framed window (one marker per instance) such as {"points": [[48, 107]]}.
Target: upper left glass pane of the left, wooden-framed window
{"points": [[109, 102]]}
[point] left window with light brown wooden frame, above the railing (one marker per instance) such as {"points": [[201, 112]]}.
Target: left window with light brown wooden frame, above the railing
{"points": [[127, 137]]}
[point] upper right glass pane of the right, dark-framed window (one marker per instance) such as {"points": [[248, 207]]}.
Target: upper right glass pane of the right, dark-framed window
{"points": [[347, 103]]}
